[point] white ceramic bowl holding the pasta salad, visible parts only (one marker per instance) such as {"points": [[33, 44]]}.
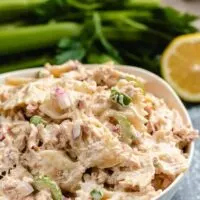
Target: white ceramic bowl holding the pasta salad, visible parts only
{"points": [[156, 86]]}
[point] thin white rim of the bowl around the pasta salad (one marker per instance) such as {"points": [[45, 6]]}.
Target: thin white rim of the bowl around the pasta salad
{"points": [[179, 178]]}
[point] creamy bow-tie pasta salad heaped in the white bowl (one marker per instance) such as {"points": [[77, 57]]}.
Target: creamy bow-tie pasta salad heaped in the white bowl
{"points": [[71, 133]]}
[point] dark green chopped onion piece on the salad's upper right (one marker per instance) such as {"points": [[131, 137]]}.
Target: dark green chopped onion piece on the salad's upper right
{"points": [[120, 98]]}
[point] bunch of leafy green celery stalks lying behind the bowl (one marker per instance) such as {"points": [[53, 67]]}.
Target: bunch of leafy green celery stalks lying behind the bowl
{"points": [[132, 32]]}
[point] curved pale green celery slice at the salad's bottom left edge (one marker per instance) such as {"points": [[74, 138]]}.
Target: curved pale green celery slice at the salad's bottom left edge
{"points": [[44, 182]]}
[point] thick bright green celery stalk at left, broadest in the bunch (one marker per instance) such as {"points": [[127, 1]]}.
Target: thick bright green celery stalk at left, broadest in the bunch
{"points": [[35, 37]]}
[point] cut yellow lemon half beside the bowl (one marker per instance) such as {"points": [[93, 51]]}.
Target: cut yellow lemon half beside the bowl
{"points": [[180, 66]]}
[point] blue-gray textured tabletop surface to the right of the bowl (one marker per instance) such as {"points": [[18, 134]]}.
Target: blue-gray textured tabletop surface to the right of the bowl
{"points": [[190, 188]]}
